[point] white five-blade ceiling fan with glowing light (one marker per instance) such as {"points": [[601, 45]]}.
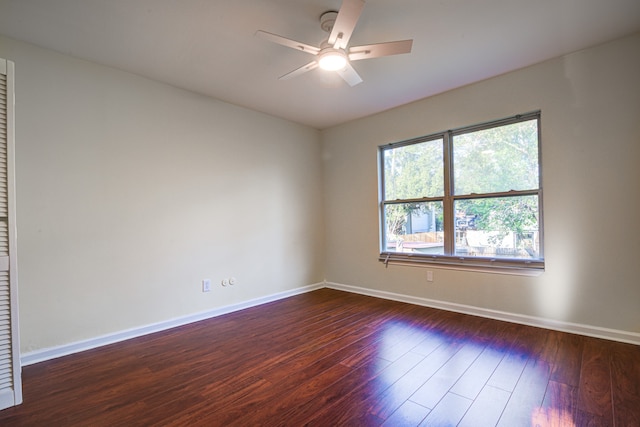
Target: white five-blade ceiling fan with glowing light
{"points": [[333, 54]]}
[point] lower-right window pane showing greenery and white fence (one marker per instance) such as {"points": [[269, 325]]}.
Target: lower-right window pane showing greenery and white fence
{"points": [[505, 227]]}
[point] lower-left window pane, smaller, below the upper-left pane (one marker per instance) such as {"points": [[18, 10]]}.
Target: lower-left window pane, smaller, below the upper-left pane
{"points": [[414, 227]]}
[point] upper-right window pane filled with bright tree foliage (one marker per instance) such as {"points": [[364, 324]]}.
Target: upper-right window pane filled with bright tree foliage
{"points": [[497, 159]]}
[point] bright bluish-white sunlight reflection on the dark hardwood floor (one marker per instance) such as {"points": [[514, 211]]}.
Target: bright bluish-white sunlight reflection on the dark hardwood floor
{"points": [[439, 361]]}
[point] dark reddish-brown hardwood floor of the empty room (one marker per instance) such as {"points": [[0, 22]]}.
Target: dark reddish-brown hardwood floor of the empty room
{"points": [[330, 358]]}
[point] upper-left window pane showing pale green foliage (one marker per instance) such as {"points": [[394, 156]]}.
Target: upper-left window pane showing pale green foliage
{"points": [[414, 171]]}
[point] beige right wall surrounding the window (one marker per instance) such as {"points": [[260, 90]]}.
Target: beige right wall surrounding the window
{"points": [[590, 103]]}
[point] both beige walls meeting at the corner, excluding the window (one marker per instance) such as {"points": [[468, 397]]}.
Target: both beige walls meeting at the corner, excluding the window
{"points": [[130, 192]]}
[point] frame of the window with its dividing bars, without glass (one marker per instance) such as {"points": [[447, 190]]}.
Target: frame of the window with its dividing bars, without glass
{"points": [[449, 259]]}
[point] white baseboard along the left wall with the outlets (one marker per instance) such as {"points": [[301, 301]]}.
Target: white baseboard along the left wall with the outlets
{"points": [[76, 347]]}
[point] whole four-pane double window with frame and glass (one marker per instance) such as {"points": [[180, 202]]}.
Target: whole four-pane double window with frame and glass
{"points": [[466, 197]]}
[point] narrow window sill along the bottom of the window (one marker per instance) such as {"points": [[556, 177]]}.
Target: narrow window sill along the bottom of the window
{"points": [[517, 267]]}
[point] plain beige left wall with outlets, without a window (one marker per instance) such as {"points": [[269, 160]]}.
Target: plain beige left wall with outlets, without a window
{"points": [[130, 192]]}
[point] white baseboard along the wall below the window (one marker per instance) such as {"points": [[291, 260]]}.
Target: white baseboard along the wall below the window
{"points": [[575, 328]]}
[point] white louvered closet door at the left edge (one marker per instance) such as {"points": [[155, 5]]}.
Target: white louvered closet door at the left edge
{"points": [[10, 378]]}
